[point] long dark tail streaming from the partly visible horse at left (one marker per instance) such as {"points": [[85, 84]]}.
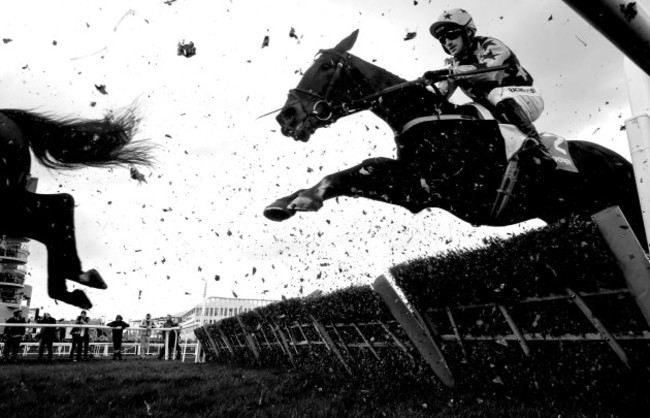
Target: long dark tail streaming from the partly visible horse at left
{"points": [[68, 143]]}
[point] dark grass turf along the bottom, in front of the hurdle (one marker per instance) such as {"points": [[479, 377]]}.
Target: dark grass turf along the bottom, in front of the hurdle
{"points": [[151, 388]]}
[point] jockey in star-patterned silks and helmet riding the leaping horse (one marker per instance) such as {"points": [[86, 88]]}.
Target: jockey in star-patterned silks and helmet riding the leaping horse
{"points": [[509, 94]]}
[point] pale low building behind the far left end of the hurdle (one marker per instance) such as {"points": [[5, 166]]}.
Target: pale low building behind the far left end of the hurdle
{"points": [[214, 309]]}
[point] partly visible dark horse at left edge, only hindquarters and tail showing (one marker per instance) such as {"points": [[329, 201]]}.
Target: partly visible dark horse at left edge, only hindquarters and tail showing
{"points": [[49, 219]]}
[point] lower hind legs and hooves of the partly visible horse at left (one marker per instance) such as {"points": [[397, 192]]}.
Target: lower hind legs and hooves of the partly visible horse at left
{"points": [[50, 220]]}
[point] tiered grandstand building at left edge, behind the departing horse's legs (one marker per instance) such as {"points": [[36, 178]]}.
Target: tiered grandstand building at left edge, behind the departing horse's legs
{"points": [[14, 253]]}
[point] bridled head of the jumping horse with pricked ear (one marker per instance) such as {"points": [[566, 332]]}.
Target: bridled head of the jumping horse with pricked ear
{"points": [[317, 100]]}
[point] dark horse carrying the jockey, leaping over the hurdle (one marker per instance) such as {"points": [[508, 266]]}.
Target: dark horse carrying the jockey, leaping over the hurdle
{"points": [[451, 159]]}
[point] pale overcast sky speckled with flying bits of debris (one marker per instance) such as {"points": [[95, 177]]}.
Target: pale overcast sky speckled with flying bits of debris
{"points": [[199, 215]]}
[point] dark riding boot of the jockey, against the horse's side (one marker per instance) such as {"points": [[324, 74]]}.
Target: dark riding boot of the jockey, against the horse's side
{"points": [[512, 112]]}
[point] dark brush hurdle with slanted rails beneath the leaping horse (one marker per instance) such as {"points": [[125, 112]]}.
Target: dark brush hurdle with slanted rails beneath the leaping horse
{"points": [[546, 310]]}
